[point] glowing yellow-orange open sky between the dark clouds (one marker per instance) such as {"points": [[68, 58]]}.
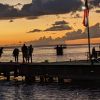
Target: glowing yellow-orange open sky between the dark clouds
{"points": [[16, 30]]}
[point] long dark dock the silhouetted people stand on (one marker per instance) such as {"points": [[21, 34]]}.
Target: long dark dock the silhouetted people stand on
{"points": [[46, 71]]}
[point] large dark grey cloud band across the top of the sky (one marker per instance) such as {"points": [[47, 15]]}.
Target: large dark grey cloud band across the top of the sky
{"points": [[43, 7]]}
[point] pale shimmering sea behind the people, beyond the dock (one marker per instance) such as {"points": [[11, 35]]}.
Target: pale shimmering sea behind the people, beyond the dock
{"points": [[41, 54]]}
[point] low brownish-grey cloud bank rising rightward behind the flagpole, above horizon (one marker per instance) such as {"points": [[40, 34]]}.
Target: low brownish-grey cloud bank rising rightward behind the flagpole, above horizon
{"points": [[94, 33]]}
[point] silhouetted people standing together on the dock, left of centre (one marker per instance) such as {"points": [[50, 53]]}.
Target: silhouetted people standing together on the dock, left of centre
{"points": [[26, 53]]}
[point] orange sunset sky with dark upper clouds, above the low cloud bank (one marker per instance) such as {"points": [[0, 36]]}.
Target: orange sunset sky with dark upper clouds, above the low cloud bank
{"points": [[31, 22]]}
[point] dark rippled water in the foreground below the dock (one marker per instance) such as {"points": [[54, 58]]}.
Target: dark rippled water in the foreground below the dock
{"points": [[10, 91]]}
